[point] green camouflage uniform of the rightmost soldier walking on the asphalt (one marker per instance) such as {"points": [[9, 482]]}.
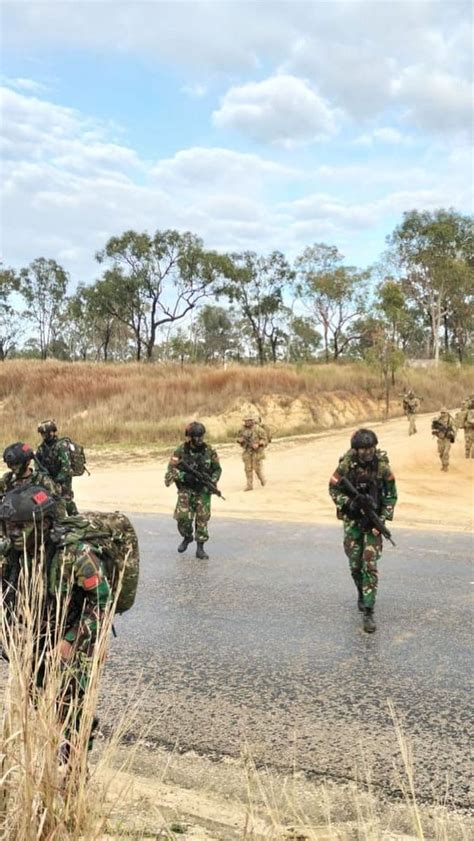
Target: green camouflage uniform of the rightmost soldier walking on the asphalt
{"points": [[362, 547]]}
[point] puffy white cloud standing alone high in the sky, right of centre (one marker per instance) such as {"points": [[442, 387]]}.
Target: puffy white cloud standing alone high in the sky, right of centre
{"points": [[280, 110]]}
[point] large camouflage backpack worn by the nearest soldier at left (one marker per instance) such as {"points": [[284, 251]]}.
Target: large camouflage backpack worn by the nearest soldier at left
{"points": [[114, 539]]}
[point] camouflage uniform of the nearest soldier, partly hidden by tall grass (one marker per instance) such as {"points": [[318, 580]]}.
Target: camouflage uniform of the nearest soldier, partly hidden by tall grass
{"points": [[75, 577]]}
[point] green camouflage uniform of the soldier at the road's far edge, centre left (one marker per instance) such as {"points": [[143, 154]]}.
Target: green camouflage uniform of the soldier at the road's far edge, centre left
{"points": [[193, 506]]}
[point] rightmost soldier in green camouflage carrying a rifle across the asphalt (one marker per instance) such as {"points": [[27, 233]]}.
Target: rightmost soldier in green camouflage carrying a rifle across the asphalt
{"points": [[368, 469]]}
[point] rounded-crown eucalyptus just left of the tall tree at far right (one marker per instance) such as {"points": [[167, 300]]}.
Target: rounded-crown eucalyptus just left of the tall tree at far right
{"points": [[335, 295]]}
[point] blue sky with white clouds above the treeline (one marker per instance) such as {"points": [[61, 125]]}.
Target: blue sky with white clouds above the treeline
{"points": [[257, 125]]}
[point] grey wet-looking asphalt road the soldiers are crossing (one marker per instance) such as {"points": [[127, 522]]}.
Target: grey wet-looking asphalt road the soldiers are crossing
{"points": [[261, 648]]}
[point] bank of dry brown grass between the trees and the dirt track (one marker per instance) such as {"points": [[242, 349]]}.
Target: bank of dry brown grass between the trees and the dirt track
{"points": [[122, 406]]}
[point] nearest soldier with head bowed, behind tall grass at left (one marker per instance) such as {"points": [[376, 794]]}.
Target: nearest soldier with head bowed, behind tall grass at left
{"points": [[72, 609]]}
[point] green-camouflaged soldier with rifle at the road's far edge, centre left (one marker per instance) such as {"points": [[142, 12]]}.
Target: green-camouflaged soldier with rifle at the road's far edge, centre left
{"points": [[193, 507]]}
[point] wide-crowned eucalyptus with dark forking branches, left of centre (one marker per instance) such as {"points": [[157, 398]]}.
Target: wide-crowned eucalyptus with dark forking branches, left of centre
{"points": [[152, 281]]}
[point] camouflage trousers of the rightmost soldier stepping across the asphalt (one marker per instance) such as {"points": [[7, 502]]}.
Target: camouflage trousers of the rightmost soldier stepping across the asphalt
{"points": [[363, 548]]}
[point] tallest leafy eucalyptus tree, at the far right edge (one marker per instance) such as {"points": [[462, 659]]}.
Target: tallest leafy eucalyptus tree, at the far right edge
{"points": [[431, 250]]}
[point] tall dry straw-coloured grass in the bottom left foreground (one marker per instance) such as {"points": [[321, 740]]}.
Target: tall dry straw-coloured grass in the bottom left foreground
{"points": [[46, 793]]}
